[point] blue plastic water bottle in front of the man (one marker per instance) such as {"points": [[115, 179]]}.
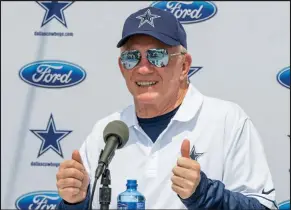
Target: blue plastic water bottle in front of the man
{"points": [[131, 198]]}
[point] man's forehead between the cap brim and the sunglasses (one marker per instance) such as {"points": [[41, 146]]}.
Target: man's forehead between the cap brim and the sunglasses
{"points": [[141, 41]]}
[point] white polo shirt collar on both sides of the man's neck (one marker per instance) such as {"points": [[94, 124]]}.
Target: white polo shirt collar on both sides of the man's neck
{"points": [[190, 106]]}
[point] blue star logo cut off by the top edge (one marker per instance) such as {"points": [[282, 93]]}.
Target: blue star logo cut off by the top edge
{"points": [[54, 9]]}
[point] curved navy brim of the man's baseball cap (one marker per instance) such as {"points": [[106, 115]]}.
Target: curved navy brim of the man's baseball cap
{"points": [[161, 37]]}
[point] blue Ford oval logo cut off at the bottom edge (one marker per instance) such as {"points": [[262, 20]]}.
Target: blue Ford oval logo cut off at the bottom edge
{"points": [[38, 200]]}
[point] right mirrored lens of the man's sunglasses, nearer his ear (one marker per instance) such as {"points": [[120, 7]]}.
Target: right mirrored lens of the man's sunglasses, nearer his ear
{"points": [[158, 57]]}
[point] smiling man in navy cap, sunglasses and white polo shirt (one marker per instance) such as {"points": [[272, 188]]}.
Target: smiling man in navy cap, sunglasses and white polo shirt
{"points": [[226, 167]]}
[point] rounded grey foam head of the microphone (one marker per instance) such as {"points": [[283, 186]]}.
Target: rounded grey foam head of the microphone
{"points": [[119, 129]]}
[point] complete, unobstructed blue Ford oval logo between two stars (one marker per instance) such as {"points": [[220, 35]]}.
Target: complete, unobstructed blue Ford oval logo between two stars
{"points": [[52, 74]]}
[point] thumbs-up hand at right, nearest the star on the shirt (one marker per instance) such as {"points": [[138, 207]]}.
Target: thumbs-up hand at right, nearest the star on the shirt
{"points": [[186, 174]]}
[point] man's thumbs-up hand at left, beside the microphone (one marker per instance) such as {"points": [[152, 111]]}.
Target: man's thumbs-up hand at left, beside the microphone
{"points": [[72, 179]]}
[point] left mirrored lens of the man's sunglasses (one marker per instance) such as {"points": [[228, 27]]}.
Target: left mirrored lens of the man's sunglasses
{"points": [[130, 59]]}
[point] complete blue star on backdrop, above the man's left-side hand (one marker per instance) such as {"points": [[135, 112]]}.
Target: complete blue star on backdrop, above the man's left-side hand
{"points": [[51, 138]]}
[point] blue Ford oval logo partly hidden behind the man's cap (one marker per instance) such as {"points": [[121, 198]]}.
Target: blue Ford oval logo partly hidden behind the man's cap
{"points": [[188, 11]]}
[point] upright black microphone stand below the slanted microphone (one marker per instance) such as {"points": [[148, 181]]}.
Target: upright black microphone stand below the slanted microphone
{"points": [[105, 190]]}
